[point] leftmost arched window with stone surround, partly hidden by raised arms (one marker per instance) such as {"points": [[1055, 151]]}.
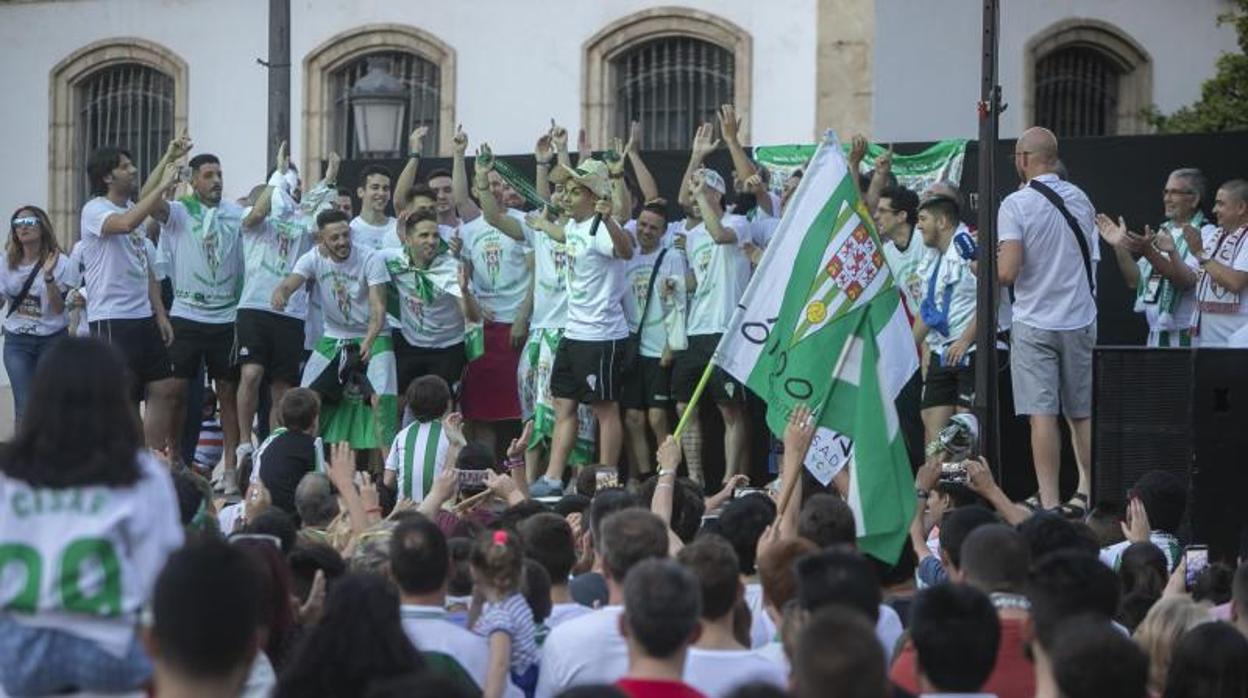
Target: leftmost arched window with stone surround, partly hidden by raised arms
{"points": [[125, 92]]}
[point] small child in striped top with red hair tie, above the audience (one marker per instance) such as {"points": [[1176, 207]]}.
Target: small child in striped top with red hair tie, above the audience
{"points": [[507, 621]]}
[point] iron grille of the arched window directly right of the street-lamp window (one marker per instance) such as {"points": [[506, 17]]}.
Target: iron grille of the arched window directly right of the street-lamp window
{"points": [[672, 87]]}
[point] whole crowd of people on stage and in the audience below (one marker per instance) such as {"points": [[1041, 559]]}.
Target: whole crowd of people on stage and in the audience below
{"points": [[389, 544]]}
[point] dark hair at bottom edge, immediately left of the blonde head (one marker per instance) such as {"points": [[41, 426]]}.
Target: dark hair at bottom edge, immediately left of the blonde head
{"points": [[1094, 660]]}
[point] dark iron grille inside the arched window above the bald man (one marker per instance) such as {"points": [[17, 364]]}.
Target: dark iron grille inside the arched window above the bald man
{"points": [[1078, 93]]}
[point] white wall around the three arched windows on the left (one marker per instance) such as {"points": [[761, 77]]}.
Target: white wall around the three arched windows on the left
{"points": [[519, 66]]}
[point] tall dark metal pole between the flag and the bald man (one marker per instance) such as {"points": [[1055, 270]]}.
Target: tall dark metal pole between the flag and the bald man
{"points": [[987, 396]]}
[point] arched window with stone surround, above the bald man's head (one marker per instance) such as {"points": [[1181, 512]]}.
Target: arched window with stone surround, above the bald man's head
{"points": [[1088, 79]]}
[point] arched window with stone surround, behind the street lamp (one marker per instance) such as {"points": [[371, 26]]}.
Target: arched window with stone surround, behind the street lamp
{"points": [[425, 64]]}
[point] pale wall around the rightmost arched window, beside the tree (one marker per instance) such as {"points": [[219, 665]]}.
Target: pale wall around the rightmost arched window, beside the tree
{"points": [[928, 57]]}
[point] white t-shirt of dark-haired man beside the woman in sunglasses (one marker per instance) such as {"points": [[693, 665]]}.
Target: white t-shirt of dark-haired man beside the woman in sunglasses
{"points": [[115, 267]]}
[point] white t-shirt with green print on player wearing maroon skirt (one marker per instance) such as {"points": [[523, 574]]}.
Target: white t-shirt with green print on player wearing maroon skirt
{"points": [[500, 277]]}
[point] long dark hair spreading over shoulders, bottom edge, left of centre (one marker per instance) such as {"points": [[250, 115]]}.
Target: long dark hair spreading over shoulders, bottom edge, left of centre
{"points": [[360, 639]]}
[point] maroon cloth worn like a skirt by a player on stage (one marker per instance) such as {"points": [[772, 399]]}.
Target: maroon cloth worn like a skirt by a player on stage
{"points": [[490, 393]]}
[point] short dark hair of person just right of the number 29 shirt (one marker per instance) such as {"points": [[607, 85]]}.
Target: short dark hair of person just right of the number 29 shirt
{"points": [[208, 640]]}
